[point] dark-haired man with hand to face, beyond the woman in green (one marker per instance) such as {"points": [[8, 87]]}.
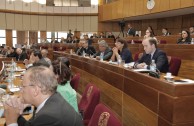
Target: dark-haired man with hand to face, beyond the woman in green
{"points": [[36, 59]]}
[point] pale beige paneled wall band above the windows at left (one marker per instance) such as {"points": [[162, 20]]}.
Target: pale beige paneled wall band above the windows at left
{"points": [[48, 23]]}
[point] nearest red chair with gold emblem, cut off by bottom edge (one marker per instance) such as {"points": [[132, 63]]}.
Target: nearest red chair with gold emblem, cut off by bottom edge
{"points": [[103, 116]]}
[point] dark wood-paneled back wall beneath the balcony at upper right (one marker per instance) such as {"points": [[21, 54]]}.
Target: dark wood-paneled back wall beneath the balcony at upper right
{"points": [[174, 24]]}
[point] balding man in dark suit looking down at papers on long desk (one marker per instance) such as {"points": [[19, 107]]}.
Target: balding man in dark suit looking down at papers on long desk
{"points": [[152, 53]]}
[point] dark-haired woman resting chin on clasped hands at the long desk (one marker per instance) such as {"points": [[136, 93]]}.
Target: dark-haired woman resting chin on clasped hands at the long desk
{"points": [[121, 51]]}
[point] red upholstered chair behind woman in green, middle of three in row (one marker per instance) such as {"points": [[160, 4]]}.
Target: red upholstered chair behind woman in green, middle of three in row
{"points": [[88, 102]]}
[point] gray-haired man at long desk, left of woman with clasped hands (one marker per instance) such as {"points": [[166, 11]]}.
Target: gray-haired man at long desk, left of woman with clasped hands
{"points": [[105, 49]]}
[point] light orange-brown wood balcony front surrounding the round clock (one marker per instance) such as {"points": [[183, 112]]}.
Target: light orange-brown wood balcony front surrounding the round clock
{"points": [[129, 8]]}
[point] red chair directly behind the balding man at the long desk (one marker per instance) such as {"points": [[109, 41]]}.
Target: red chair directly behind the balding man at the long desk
{"points": [[174, 65]]}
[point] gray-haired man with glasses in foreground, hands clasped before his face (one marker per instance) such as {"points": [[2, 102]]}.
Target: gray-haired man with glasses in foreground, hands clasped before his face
{"points": [[38, 88]]}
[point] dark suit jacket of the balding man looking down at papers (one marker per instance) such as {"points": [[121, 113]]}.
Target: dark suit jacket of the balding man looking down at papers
{"points": [[160, 58]]}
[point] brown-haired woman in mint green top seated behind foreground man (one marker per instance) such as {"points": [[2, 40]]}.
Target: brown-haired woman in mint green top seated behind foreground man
{"points": [[63, 74]]}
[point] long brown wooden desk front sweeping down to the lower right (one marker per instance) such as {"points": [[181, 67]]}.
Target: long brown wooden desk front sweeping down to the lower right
{"points": [[137, 99]]}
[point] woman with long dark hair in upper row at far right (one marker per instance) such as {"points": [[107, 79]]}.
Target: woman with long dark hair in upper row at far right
{"points": [[185, 38]]}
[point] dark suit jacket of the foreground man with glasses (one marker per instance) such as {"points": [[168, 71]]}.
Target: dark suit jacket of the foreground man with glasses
{"points": [[55, 112]]}
